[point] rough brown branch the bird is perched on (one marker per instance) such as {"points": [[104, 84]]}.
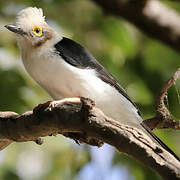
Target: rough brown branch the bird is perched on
{"points": [[81, 120]]}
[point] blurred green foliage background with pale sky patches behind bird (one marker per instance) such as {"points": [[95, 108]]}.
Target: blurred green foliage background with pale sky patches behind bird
{"points": [[139, 63]]}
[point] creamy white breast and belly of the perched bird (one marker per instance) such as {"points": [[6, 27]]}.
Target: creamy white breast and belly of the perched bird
{"points": [[63, 80]]}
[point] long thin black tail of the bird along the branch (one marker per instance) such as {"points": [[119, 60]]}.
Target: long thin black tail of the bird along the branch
{"points": [[159, 141]]}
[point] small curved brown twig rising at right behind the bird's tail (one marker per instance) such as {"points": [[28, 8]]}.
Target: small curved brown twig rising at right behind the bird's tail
{"points": [[163, 118]]}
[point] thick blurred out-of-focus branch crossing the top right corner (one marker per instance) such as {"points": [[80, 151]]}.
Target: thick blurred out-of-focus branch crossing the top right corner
{"points": [[150, 16]]}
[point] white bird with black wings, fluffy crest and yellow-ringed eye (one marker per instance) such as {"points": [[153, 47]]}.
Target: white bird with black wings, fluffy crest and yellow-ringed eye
{"points": [[65, 69]]}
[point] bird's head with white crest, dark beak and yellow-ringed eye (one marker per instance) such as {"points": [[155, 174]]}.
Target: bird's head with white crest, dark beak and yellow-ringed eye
{"points": [[31, 28]]}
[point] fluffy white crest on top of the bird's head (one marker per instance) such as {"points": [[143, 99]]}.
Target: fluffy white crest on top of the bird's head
{"points": [[30, 17]]}
